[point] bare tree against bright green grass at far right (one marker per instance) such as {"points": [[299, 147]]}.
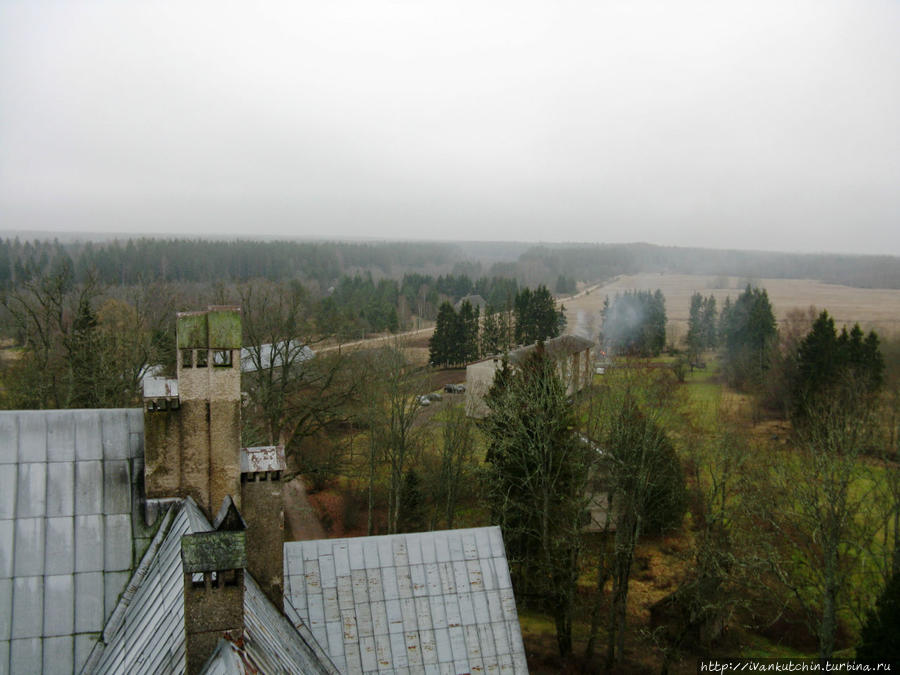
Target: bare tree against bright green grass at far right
{"points": [[824, 516]]}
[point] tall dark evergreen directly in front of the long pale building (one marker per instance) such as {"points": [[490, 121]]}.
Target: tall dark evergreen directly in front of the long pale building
{"points": [[538, 480]]}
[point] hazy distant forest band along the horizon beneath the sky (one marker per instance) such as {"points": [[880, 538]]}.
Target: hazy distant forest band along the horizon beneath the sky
{"points": [[129, 261]]}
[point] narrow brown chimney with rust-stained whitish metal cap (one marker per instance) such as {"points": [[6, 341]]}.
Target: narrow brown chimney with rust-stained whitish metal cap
{"points": [[263, 509]]}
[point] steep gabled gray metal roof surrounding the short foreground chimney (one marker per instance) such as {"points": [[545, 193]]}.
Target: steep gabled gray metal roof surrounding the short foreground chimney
{"points": [[146, 631]]}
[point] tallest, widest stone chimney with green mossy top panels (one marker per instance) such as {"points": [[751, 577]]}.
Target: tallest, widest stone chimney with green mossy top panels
{"points": [[192, 432]]}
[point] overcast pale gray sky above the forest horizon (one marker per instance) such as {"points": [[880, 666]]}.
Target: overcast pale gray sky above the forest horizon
{"points": [[766, 125]]}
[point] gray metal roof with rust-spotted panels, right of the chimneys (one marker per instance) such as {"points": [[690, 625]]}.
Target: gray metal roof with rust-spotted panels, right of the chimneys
{"points": [[432, 602]]}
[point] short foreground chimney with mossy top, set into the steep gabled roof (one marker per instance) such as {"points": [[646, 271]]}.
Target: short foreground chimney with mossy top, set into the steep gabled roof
{"points": [[213, 565]]}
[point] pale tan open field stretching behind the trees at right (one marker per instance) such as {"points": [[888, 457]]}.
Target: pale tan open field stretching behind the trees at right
{"points": [[877, 309]]}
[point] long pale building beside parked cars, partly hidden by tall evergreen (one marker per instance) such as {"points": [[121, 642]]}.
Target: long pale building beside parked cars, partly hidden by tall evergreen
{"points": [[573, 356]]}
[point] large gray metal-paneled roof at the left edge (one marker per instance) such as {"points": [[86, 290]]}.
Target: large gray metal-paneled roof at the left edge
{"points": [[68, 531]]}
